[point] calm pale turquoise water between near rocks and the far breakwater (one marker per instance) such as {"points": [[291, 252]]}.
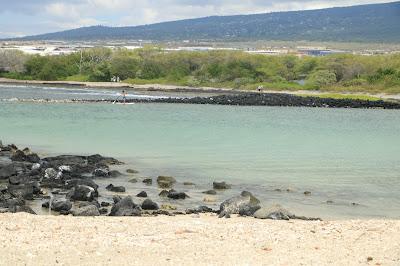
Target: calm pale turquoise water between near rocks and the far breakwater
{"points": [[342, 155]]}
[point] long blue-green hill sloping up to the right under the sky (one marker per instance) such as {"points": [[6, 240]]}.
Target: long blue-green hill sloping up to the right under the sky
{"points": [[368, 23]]}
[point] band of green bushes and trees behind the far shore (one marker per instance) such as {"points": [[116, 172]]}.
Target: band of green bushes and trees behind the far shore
{"points": [[340, 73]]}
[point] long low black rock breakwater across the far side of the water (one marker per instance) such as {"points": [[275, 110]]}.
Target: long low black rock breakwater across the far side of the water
{"points": [[237, 99]]}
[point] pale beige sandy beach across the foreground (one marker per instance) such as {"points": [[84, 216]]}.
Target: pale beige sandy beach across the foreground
{"points": [[195, 240]]}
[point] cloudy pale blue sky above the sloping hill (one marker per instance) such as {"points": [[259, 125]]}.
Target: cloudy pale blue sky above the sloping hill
{"points": [[30, 17]]}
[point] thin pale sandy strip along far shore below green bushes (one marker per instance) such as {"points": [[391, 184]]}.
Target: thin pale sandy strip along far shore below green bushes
{"points": [[177, 88]]}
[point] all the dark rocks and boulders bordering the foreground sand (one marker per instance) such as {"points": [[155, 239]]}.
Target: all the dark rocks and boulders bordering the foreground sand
{"points": [[66, 184]]}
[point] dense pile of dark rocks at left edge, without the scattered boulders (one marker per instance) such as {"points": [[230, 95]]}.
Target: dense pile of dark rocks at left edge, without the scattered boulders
{"points": [[26, 177]]}
